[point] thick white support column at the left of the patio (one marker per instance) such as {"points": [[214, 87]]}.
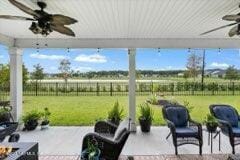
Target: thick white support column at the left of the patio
{"points": [[16, 85]]}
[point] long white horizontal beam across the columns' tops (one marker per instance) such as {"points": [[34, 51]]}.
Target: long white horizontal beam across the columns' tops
{"points": [[130, 43]]}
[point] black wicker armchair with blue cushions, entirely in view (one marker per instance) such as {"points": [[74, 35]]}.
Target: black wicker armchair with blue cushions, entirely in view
{"points": [[183, 129]]}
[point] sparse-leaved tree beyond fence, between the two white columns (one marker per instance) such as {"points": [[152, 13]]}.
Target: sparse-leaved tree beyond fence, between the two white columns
{"points": [[65, 69]]}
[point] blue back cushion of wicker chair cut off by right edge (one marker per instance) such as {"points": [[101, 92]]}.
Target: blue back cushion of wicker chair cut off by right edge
{"points": [[227, 114]]}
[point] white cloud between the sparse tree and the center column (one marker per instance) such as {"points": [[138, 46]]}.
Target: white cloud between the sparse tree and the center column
{"points": [[93, 58]]}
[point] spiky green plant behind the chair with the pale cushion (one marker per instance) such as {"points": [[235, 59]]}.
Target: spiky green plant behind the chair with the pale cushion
{"points": [[115, 114]]}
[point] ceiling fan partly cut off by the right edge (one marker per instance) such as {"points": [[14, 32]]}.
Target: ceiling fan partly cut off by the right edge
{"points": [[233, 31]]}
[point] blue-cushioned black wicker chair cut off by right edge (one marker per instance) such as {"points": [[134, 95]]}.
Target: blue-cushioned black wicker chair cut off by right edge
{"points": [[228, 119]]}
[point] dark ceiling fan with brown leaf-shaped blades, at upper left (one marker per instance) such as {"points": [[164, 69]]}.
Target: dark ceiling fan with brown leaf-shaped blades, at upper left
{"points": [[42, 22]]}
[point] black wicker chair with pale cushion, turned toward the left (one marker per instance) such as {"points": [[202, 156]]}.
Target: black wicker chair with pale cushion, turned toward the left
{"points": [[109, 138]]}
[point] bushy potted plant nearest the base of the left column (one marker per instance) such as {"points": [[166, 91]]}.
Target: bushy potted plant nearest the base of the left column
{"points": [[30, 120]]}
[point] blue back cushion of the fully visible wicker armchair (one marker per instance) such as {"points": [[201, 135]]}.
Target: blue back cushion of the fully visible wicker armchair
{"points": [[178, 115]]}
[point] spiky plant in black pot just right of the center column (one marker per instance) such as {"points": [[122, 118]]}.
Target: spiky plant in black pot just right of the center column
{"points": [[146, 117]]}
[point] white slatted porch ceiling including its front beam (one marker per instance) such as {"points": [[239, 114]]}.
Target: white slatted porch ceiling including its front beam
{"points": [[127, 23]]}
